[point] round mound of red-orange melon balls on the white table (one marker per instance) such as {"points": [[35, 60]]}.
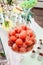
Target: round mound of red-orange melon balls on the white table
{"points": [[21, 39]]}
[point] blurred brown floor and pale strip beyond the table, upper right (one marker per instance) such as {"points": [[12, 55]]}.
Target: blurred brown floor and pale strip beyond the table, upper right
{"points": [[38, 12]]}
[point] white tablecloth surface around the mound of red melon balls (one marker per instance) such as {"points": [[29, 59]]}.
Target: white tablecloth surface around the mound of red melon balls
{"points": [[19, 59]]}
